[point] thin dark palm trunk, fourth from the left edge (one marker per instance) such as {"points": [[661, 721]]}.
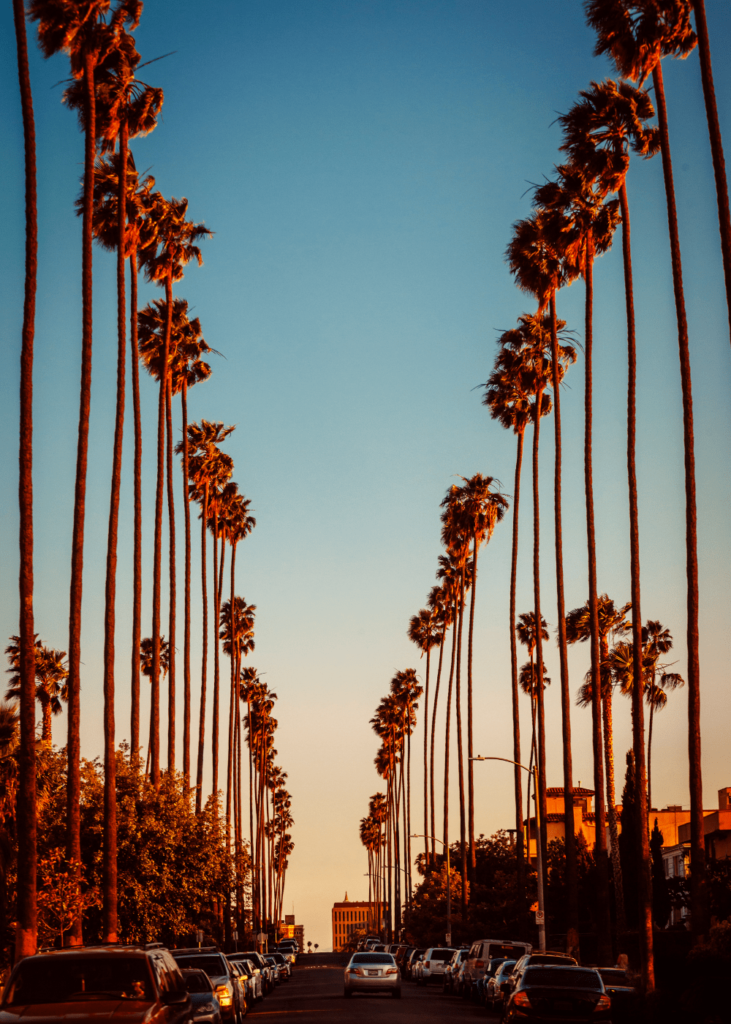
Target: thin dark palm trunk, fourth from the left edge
{"points": [[138, 556]]}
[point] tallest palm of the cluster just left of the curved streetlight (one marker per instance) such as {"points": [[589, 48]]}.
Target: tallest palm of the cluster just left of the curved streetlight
{"points": [[480, 507]]}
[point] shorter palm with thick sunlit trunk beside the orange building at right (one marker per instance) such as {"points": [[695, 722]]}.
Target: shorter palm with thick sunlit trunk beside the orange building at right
{"points": [[613, 623]]}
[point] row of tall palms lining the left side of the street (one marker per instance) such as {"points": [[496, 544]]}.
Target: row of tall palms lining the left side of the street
{"points": [[152, 235]]}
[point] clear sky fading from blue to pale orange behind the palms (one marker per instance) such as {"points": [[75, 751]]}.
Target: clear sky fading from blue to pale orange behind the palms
{"points": [[362, 163]]}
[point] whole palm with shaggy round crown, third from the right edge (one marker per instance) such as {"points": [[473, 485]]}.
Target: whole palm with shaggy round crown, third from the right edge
{"points": [[600, 132]]}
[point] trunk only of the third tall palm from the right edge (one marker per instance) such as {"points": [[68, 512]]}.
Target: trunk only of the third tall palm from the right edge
{"points": [[638, 723]]}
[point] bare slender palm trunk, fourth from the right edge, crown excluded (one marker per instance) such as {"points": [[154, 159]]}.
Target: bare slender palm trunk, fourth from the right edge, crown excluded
{"points": [[600, 850]]}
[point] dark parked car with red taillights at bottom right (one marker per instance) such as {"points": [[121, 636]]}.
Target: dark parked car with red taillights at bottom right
{"points": [[562, 995]]}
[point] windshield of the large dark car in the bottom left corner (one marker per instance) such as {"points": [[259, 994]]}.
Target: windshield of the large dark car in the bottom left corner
{"points": [[81, 978]]}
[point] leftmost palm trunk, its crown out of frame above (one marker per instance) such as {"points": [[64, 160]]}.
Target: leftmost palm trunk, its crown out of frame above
{"points": [[27, 927]]}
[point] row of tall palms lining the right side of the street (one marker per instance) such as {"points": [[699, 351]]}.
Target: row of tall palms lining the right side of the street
{"points": [[575, 220]]}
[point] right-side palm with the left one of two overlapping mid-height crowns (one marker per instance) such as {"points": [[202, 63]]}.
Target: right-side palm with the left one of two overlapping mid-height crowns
{"points": [[508, 397]]}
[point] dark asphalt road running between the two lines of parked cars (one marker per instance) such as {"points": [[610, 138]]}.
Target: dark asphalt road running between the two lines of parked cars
{"points": [[316, 994]]}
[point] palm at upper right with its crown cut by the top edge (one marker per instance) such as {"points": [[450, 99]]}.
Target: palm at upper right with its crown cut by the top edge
{"points": [[637, 35]]}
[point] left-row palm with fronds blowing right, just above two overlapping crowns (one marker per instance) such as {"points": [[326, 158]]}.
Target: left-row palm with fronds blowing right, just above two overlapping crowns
{"points": [[176, 246]]}
